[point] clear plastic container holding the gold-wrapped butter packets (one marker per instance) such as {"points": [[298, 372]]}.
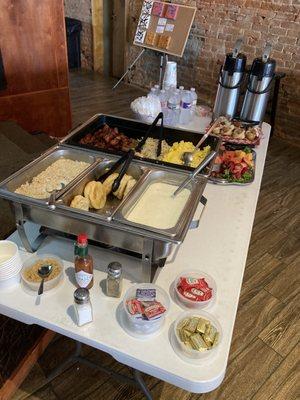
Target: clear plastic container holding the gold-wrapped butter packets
{"points": [[192, 355]]}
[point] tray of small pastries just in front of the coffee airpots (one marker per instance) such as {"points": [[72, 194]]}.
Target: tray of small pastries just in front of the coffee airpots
{"points": [[237, 132]]}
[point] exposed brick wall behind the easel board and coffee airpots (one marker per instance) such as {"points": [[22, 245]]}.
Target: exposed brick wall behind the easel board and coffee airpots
{"points": [[217, 25]]}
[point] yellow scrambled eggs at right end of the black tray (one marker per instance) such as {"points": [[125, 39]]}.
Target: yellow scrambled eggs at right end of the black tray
{"points": [[174, 155]]}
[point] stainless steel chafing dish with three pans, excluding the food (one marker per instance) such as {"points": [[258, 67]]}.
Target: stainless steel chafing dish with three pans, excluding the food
{"points": [[108, 227]]}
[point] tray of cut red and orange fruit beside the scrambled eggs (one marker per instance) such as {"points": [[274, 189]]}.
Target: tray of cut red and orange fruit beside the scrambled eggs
{"points": [[234, 166]]}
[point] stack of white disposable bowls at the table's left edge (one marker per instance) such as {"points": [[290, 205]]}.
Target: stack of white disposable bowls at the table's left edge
{"points": [[10, 264]]}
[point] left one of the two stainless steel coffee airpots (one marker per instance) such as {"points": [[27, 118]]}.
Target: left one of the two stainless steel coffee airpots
{"points": [[230, 80]]}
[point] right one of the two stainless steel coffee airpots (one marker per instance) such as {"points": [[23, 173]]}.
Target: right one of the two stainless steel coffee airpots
{"points": [[259, 86]]}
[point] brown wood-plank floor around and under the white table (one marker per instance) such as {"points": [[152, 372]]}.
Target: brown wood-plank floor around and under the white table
{"points": [[264, 356]]}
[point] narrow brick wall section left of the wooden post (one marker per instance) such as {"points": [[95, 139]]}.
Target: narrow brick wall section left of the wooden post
{"points": [[82, 10]]}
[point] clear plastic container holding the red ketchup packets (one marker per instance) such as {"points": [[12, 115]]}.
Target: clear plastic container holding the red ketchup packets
{"points": [[196, 304]]}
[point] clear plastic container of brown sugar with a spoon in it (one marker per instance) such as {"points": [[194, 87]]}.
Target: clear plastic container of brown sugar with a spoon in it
{"points": [[51, 283]]}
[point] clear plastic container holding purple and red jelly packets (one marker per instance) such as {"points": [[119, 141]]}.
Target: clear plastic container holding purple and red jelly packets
{"points": [[142, 326]]}
